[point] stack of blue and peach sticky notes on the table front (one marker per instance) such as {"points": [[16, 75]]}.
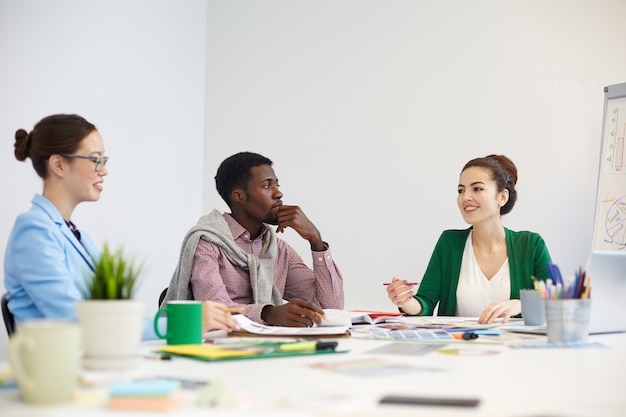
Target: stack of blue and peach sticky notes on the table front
{"points": [[148, 395]]}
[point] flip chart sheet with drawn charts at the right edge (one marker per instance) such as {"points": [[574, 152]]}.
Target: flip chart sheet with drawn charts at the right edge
{"points": [[610, 219]]}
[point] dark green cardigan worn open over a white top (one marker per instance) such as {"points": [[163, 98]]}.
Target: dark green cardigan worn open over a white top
{"points": [[528, 256]]}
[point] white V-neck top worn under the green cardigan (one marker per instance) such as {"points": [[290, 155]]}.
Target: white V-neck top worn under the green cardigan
{"points": [[475, 292]]}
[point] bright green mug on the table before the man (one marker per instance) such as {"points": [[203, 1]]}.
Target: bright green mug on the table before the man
{"points": [[184, 322]]}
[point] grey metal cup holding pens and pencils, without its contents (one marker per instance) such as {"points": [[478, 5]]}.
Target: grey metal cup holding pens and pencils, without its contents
{"points": [[567, 320]]}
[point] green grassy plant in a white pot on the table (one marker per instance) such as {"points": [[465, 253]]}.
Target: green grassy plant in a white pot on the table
{"points": [[111, 320]]}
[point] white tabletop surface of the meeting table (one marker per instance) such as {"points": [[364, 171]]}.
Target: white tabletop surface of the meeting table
{"points": [[509, 382]]}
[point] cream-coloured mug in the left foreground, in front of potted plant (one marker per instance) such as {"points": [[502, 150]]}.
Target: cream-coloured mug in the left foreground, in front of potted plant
{"points": [[45, 357]]}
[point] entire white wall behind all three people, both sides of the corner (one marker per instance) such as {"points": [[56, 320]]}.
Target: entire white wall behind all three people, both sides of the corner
{"points": [[368, 109]]}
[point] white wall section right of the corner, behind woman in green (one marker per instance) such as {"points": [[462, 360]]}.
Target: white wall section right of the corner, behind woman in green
{"points": [[369, 110]]}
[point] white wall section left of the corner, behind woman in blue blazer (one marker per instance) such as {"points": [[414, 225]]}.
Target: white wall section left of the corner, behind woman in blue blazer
{"points": [[136, 70]]}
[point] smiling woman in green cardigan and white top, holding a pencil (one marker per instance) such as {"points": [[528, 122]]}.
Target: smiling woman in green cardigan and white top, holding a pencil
{"points": [[479, 271]]}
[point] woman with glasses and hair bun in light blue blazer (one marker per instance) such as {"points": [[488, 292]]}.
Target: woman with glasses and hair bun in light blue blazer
{"points": [[47, 258]]}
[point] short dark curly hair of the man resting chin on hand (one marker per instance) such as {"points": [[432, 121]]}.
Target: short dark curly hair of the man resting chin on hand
{"points": [[235, 172]]}
